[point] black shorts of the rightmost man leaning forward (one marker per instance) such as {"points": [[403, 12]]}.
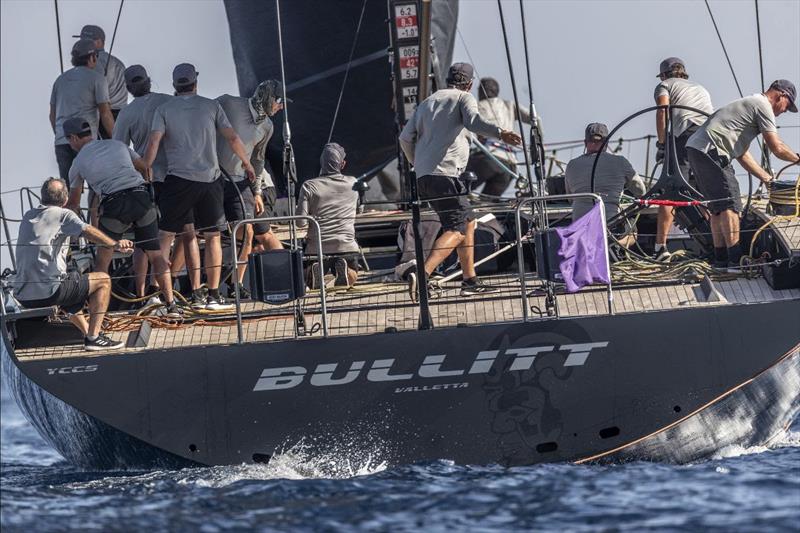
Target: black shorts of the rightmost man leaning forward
{"points": [[716, 181]]}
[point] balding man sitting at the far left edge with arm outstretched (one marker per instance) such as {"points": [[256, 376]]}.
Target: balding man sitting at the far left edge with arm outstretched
{"points": [[42, 279]]}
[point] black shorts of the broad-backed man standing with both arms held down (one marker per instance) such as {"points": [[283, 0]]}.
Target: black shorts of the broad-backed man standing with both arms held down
{"points": [[183, 201]]}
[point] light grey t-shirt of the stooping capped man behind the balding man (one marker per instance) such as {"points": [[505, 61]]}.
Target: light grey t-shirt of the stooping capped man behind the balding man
{"points": [[107, 166]]}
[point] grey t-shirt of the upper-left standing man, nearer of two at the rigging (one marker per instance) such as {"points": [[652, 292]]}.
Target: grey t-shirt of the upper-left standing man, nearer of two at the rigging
{"points": [[77, 93]]}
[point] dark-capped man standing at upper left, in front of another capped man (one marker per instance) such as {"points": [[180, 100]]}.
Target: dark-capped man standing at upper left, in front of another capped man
{"points": [[79, 92]]}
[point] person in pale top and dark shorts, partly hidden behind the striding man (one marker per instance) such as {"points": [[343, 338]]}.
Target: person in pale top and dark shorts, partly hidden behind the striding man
{"points": [[504, 114]]}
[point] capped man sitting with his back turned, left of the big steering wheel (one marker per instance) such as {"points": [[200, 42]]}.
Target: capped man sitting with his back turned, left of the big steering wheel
{"points": [[612, 176]]}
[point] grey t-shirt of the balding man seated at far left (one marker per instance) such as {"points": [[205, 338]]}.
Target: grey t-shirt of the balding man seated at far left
{"points": [[42, 249]]}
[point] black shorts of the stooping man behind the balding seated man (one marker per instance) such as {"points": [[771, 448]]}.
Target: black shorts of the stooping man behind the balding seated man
{"points": [[130, 209]]}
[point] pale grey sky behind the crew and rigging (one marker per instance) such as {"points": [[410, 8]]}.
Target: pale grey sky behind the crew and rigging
{"points": [[592, 60]]}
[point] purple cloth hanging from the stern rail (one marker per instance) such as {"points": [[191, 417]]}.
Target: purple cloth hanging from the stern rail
{"points": [[582, 251]]}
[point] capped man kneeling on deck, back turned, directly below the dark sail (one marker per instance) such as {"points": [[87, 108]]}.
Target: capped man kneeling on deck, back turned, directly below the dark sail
{"points": [[332, 200]]}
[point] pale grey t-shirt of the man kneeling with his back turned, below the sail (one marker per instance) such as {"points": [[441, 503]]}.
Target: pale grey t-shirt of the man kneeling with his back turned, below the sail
{"points": [[332, 201]]}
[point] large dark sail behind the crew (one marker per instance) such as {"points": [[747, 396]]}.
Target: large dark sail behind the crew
{"points": [[317, 39]]}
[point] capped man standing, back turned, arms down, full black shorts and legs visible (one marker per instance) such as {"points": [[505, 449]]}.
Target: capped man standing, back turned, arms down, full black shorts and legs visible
{"points": [[193, 190]]}
